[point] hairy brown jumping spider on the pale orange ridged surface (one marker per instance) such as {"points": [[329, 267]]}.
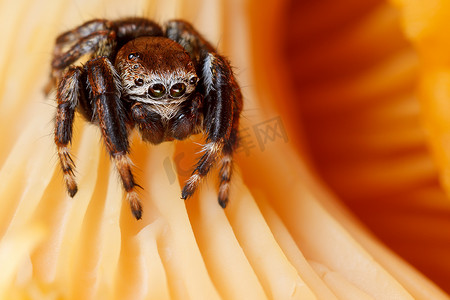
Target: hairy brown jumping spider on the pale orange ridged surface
{"points": [[167, 82]]}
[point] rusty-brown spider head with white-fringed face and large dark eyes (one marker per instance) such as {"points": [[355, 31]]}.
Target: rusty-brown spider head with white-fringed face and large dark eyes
{"points": [[156, 70]]}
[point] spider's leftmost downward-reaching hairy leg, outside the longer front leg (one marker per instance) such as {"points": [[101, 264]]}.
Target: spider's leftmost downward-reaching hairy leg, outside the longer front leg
{"points": [[67, 96]]}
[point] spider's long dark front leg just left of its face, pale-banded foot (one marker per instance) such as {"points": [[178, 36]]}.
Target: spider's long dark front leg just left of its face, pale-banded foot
{"points": [[112, 117]]}
